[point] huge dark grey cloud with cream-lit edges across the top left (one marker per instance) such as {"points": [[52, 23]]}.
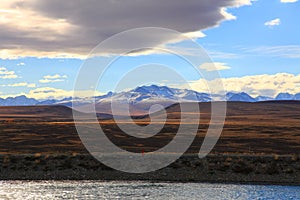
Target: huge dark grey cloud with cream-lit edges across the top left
{"points": [[73, 28]]}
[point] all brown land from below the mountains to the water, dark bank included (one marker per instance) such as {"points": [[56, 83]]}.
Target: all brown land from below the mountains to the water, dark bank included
{"points": [[259, 143]]}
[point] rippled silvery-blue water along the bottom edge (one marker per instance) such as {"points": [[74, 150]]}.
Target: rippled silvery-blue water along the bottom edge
{"points": [[140, 190]]}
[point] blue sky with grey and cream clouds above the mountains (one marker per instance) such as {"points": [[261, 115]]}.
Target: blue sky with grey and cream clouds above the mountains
{"points": [[254, 45]]}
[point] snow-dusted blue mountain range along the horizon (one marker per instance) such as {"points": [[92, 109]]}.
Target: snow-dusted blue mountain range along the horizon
{"points": [[146, 94]]}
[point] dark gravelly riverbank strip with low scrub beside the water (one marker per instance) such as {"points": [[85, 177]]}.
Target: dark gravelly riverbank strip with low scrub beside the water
{"points": [[258, 169]]}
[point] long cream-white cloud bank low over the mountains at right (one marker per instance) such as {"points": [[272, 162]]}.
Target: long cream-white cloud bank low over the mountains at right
{"points": [[265, 84]]}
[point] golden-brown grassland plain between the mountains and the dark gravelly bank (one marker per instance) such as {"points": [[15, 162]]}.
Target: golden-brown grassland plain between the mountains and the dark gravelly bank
{"points": [[250, 128]]}
